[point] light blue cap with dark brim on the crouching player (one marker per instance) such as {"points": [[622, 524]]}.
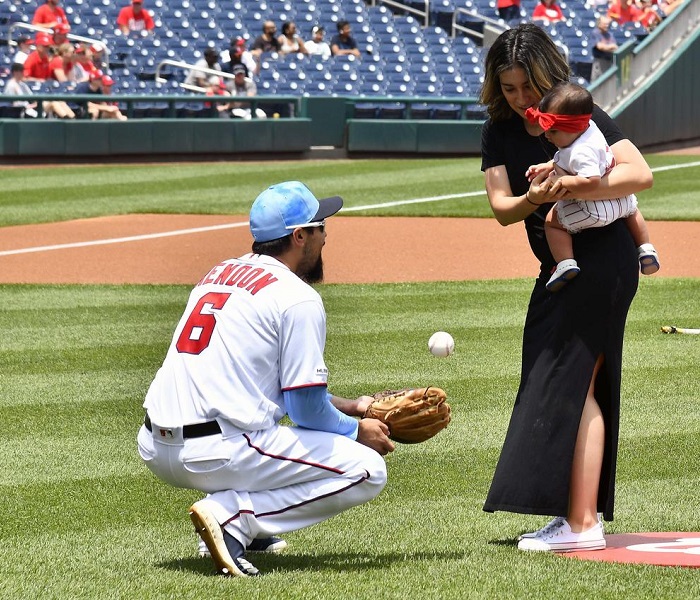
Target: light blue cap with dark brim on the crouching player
{"points": [[283, 207]]}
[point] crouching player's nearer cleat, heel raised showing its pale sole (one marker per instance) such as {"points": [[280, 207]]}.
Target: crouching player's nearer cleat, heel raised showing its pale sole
{"points": [[226, 552]]}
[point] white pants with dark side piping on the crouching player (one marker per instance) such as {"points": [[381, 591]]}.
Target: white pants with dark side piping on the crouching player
{"points": [[268, 482]]}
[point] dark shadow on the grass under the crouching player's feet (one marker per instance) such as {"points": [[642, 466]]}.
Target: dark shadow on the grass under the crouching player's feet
{"points": [[333, 561]]}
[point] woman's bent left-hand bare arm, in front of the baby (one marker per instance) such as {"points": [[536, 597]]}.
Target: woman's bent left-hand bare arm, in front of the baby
{"points": [[508, 208]]}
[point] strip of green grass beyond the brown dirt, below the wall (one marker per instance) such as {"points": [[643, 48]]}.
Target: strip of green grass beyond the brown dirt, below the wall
{"points": [[46, 194]]}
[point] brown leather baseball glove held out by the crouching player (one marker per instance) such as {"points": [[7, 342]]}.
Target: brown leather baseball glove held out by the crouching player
{"points": [[412, 415]]}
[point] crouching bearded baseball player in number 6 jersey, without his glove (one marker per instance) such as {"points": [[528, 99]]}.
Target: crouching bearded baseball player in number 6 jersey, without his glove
{"points": [[247, 351]]}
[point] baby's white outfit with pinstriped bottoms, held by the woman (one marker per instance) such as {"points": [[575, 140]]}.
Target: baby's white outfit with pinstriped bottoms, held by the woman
{"points": [[590, 156]]}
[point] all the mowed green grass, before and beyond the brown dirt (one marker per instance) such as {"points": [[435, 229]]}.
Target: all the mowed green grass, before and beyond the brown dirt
{"points": [[86, 519]]}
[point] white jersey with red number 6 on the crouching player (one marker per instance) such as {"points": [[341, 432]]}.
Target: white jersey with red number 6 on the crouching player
{"points": [[251, 330]]}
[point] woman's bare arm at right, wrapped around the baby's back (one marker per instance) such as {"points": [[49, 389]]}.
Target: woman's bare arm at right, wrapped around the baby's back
{"points": [[630, 175]]}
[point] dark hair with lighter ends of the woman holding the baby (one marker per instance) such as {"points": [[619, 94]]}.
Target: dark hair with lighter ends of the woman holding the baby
{"points": [[526, 47]]}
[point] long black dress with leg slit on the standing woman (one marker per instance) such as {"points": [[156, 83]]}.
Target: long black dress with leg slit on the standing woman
{"points": [[564, 334]]}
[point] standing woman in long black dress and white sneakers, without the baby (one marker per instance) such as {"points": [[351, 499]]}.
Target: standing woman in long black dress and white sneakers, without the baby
{"points": [[560, 451]]}
